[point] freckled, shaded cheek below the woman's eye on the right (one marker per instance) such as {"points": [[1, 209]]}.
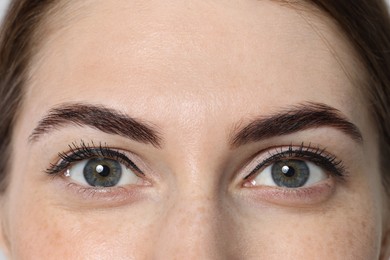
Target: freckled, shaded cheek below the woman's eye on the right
{"points": [[346, 227]]}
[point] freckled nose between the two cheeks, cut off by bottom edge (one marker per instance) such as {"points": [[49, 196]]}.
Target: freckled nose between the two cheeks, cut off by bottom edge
{"points": [[190, 227]]}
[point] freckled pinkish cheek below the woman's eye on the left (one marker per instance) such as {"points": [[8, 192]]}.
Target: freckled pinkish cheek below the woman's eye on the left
{"points": [[39, 227]]}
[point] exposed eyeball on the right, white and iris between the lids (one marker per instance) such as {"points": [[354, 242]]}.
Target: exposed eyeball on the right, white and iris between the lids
{"points": [[289, 173]]}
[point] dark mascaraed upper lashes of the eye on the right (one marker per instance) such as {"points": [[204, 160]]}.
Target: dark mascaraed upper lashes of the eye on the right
{"points": [[313, 154]]}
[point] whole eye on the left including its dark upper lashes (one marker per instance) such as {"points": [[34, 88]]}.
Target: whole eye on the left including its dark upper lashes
{"points": [[93, 165]]}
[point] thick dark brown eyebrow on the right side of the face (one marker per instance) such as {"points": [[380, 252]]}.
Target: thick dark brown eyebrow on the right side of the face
{"points": [[294, 119]]}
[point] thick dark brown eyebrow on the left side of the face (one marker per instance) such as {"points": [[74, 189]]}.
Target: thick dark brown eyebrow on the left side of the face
{"points": [[99, 117]]}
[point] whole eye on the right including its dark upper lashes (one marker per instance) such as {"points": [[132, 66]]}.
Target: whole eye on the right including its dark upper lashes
{"points": [[294, 167]]}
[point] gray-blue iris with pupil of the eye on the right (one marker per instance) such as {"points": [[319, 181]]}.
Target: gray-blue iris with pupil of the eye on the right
{"points": [[290, 173]]}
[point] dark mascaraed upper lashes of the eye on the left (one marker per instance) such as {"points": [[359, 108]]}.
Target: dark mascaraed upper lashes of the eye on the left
{"points": [[83, 151]]}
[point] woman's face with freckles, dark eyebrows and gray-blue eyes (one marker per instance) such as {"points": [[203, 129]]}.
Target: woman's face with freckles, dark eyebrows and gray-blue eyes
{"points": [[194, 130]]}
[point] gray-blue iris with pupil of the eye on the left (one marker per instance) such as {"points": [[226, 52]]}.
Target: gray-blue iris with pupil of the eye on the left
{"points": [[102, 172]]}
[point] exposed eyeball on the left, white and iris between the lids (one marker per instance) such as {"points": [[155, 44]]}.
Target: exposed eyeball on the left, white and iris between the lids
{"points": [[102, 172]]}
